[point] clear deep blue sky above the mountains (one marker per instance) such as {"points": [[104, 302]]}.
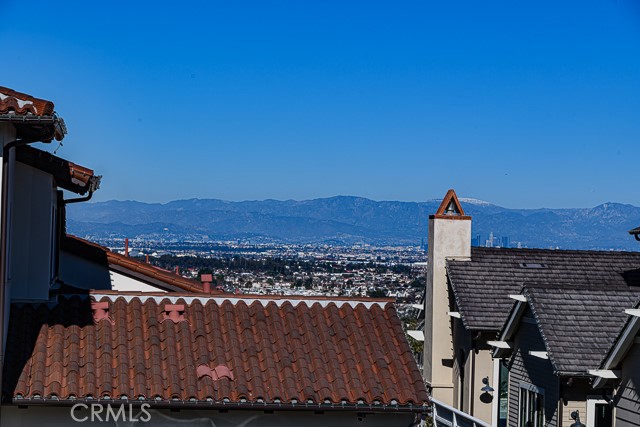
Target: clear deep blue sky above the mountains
{"points": [[524, 104]]}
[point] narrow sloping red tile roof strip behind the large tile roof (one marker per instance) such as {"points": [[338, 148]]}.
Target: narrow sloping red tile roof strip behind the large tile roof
{"points": [[130, 266]]}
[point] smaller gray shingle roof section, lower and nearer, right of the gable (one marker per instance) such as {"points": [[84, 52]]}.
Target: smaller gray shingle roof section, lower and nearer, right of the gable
{"points": [[579, 324]]}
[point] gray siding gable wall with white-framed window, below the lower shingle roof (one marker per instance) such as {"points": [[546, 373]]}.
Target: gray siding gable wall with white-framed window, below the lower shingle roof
{"points": [[532, 370]]}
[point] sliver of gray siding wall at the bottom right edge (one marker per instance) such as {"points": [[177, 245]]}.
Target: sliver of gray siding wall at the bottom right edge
{"points": [[627, 398]]}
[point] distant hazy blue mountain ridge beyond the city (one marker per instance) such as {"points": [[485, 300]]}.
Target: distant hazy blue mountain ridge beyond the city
{"points": [[348, 220]]}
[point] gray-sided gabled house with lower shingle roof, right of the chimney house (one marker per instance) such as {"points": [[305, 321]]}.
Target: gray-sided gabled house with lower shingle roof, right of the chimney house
{"points": [[554, 342]]}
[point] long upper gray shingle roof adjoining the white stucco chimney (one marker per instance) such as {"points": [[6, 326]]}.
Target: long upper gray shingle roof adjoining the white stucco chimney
{"points": [[482, 286]]}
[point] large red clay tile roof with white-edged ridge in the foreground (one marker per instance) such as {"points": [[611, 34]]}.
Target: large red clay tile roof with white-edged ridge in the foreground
{"points": [[229, 350]]}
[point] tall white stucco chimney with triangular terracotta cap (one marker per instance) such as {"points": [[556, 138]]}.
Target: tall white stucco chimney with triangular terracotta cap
{"points": [[449, 238]]}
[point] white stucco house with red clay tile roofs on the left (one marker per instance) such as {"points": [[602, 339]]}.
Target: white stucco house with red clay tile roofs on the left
{"points": [[85, 328]]}
